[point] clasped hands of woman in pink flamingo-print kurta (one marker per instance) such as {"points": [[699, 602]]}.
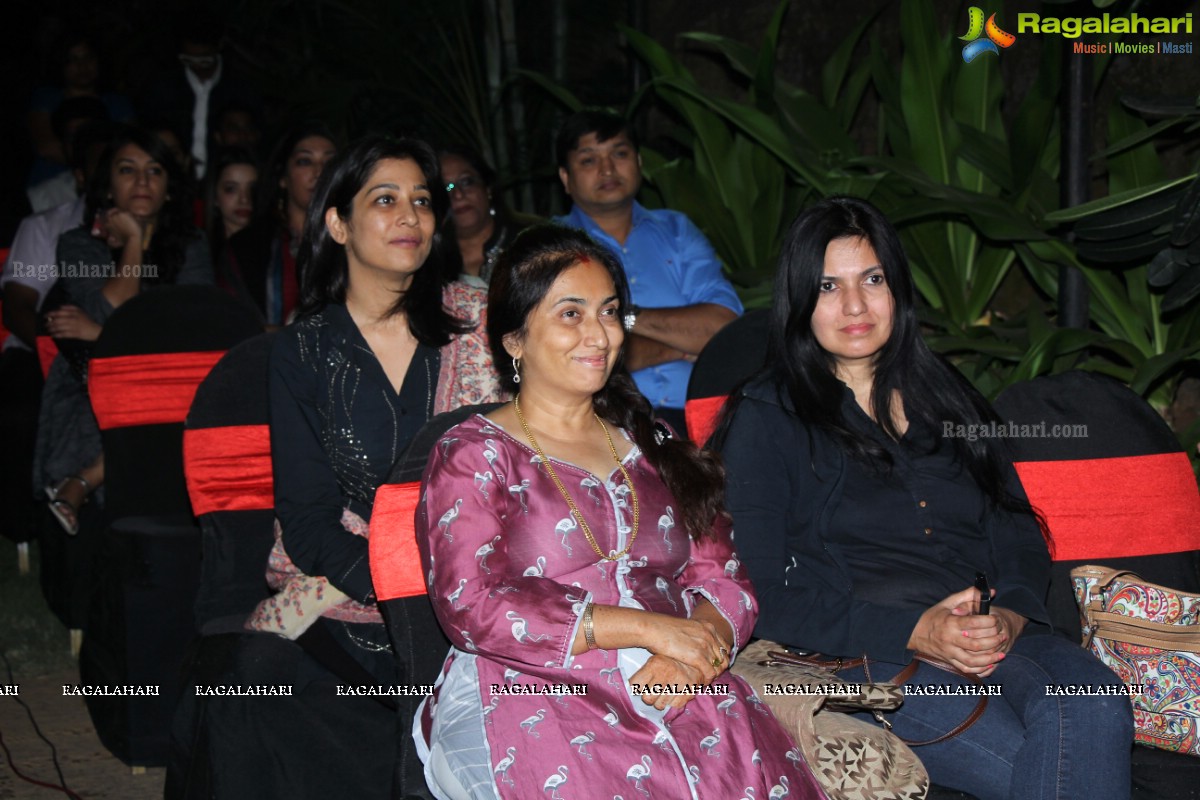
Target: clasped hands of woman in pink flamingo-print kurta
{"points": [[688, 652]]}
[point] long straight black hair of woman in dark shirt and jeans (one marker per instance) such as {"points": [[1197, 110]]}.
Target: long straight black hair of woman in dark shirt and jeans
{"points": [[934, 392]]}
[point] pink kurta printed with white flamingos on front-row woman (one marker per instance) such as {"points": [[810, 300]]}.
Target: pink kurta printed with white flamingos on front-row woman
{"points": [[511, 574]]}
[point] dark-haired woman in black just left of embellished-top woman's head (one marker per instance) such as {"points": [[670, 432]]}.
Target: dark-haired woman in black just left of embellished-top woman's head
{"points": [[260, 263]]}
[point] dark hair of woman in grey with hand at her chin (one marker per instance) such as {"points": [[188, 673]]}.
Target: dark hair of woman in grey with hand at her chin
{"points": [[175, 228]]}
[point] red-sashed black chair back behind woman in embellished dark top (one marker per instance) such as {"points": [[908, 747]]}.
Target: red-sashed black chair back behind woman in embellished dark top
{"points": [[227, 464]]}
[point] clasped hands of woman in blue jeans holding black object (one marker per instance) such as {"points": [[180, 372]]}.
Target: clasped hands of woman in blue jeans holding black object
{"points": [[956, 633]]}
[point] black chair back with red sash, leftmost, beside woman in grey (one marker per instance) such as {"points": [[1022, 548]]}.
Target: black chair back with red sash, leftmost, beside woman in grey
{"points": [[147, 365]]}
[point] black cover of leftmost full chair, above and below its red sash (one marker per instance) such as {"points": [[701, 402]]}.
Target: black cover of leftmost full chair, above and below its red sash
{"points": [[148, 570]]}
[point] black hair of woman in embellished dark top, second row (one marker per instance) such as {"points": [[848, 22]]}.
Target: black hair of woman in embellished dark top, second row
{"points": [[325, 270]]}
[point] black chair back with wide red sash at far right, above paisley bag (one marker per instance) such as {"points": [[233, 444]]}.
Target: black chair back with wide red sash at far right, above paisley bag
{"points": [[1111, 479]]}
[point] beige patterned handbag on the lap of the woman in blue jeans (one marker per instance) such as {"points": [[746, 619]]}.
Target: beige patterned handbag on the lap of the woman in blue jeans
{"points": [[851, 760]]}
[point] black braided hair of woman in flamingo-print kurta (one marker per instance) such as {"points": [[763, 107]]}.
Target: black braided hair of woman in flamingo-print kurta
{"points": [[524, 276]]}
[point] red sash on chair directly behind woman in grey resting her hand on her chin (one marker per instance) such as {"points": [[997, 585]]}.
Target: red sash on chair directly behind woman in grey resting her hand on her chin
{"points": [[155, 389]]}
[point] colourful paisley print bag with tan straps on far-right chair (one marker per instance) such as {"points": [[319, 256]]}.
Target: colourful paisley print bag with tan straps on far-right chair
{"points": [[1150, 636]]}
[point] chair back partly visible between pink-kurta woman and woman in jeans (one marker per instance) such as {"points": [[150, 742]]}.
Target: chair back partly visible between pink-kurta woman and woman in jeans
{"points": [[737, 352]]}
